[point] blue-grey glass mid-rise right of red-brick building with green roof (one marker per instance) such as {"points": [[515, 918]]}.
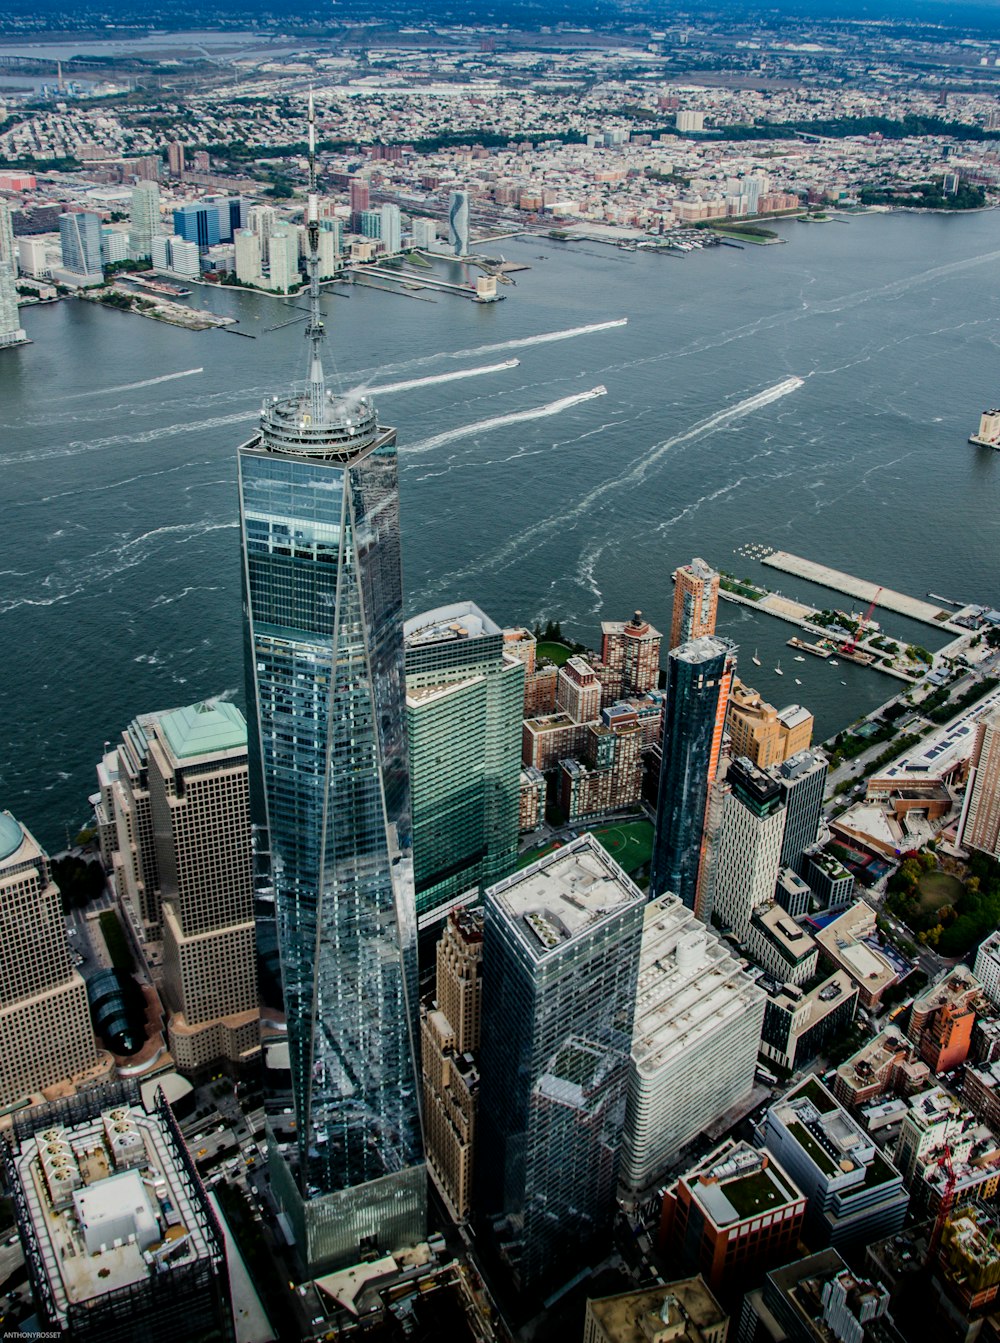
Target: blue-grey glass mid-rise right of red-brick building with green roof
{"points": [[856, 1195]]}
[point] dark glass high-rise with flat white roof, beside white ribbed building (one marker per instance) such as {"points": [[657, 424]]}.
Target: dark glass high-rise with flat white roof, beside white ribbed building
{"points": [[560, 964]]}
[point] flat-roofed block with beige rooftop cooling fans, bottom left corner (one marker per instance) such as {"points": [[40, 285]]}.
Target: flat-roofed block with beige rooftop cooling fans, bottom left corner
{"points": [[120, 1238]]}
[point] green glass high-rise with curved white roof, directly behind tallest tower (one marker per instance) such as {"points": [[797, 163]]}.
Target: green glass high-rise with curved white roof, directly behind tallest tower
{"points": [[464, 721]]}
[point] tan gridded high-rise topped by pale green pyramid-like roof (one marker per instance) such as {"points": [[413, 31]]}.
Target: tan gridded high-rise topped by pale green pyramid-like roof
{"points": [[201, 812]]}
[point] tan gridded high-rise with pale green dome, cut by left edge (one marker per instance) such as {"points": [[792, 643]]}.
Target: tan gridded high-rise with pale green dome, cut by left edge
{"points": [[45, 1024]]}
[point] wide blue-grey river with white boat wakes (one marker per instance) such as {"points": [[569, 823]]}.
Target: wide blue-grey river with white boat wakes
{"points": [[814, 397]]}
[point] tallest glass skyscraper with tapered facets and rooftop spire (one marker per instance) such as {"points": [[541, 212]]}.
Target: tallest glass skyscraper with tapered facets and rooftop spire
{"points": [[324, 643]]}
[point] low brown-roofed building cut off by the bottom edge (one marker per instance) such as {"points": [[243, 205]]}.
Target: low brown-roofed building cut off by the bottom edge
{"points": [[676, 1313]]}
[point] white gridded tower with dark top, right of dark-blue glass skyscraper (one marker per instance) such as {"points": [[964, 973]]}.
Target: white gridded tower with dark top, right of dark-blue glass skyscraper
{"points": [[750, 847]]}
